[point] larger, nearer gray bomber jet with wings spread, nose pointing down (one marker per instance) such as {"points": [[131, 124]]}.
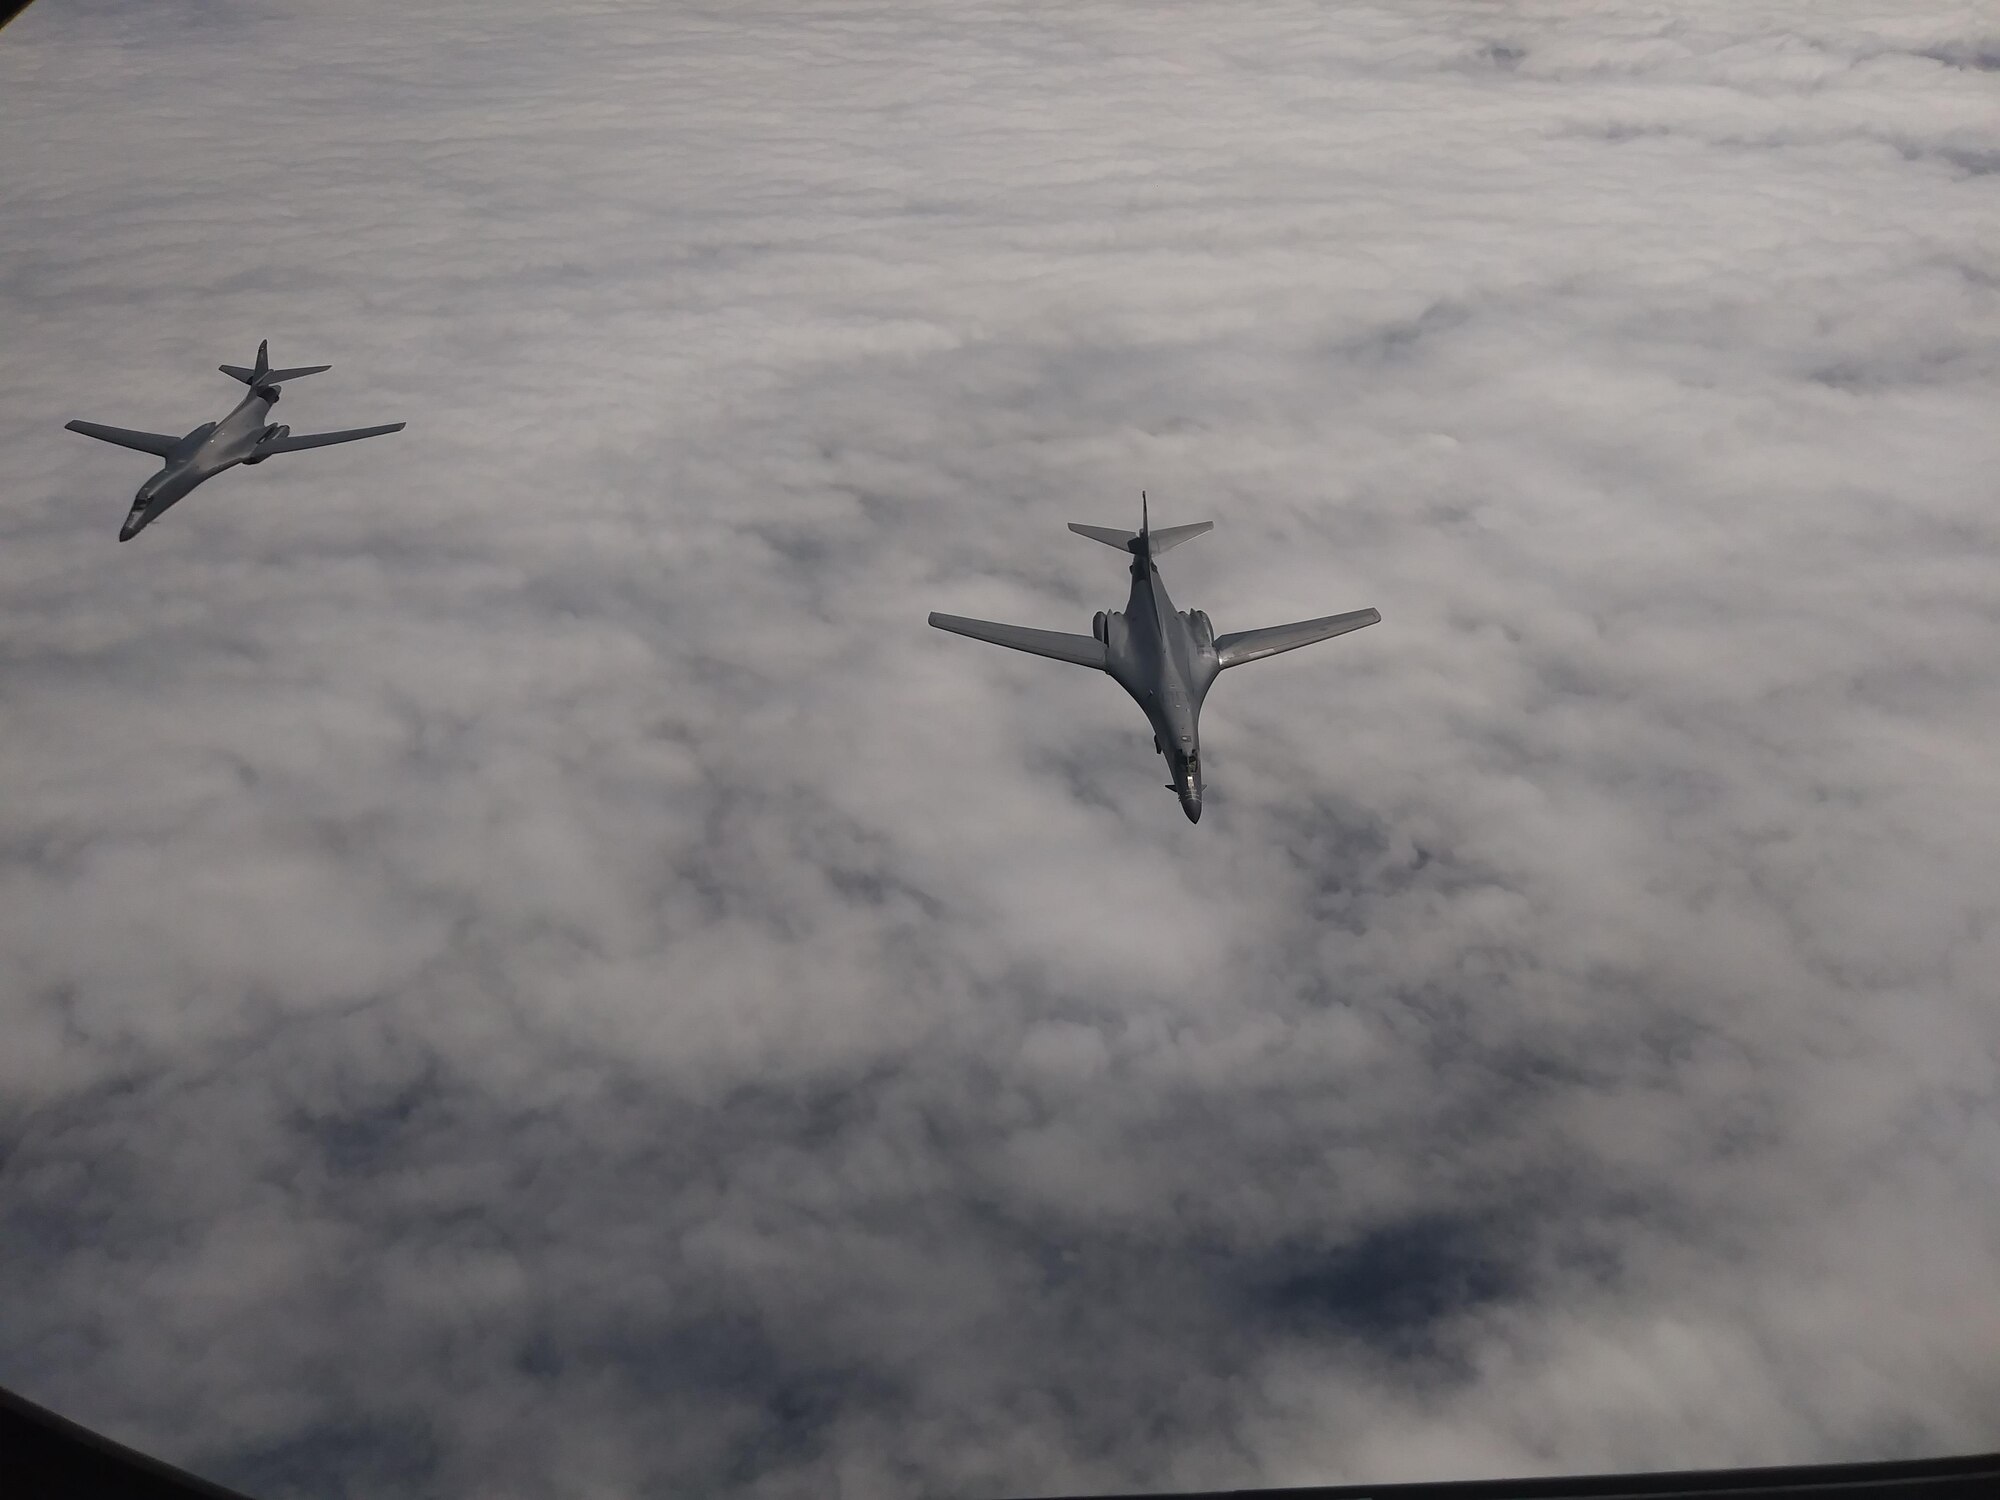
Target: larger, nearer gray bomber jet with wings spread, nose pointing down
{"points": [[1165, 659]]}
